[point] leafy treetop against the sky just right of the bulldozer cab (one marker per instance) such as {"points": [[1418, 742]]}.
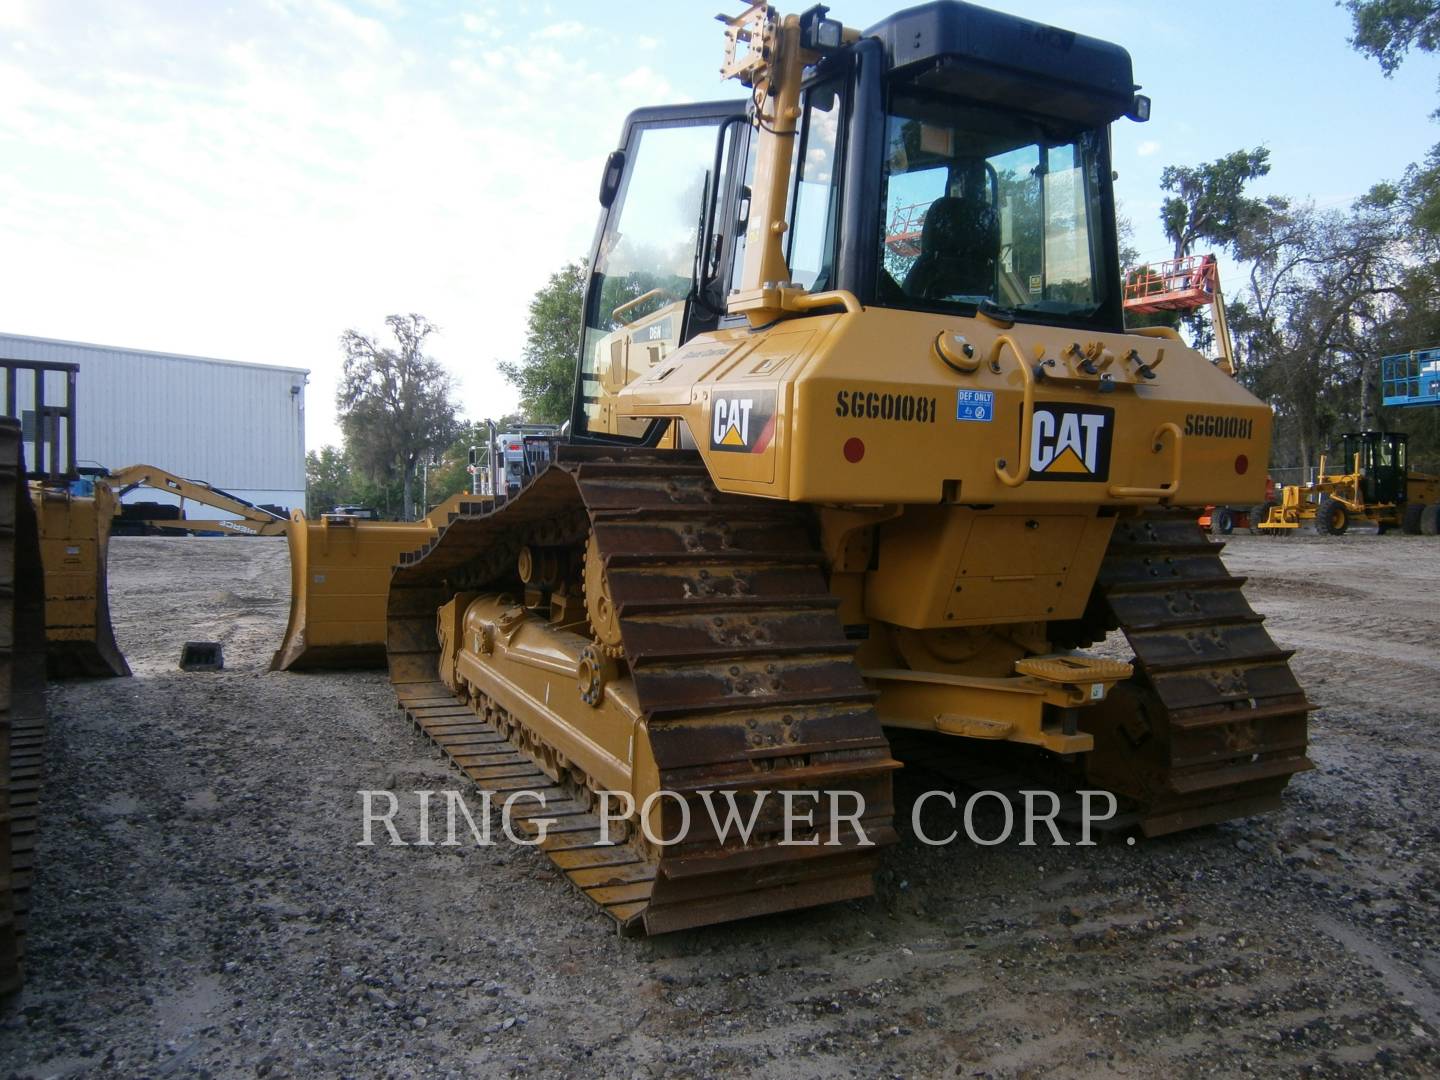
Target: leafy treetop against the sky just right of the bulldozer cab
{"points": [[1209, 202]]}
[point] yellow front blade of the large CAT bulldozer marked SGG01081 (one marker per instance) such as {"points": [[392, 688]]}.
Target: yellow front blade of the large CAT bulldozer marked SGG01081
{"points": [[339, 580]]}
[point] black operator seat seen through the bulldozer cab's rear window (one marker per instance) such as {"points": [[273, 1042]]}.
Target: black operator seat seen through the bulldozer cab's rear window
{"points": [[960, 244]]}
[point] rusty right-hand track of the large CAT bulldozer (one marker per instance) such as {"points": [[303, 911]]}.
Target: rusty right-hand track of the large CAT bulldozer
{"points": [[1213, 724]]}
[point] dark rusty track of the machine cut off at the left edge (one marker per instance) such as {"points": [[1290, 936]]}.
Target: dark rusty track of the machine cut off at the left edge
{"points": [[22, 699]]}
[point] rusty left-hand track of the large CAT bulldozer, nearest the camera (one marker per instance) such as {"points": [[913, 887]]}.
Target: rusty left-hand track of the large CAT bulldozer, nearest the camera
{"points": [[741, 667]]}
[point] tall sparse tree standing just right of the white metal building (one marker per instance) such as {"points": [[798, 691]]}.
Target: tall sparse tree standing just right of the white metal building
{"points": [[395, 405]]}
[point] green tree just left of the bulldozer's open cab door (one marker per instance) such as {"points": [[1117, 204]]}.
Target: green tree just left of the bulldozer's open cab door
{"points": [[545, 374]]}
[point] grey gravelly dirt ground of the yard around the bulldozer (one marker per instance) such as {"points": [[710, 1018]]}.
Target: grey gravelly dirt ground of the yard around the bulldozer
{"points": [[202, 908]]}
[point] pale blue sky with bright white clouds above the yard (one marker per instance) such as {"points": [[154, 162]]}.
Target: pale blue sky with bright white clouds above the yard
{"points": [[250, 179]]}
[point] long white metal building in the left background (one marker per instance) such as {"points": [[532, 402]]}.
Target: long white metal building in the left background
{"points": [[234, 426]]}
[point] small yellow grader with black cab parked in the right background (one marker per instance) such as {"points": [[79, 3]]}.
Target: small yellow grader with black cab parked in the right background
{"points": [[1380, 487]]}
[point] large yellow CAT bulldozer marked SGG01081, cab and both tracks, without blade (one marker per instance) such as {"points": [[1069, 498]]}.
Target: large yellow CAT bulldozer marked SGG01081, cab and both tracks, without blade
{"points": [[839, 496]]}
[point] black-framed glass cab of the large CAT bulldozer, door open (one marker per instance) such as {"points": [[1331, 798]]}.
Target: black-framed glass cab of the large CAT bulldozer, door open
{"points": [[947, 161]]}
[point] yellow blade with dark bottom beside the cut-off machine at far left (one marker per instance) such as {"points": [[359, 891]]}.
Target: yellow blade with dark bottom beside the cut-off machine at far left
{"points": [[76, 552]]}
